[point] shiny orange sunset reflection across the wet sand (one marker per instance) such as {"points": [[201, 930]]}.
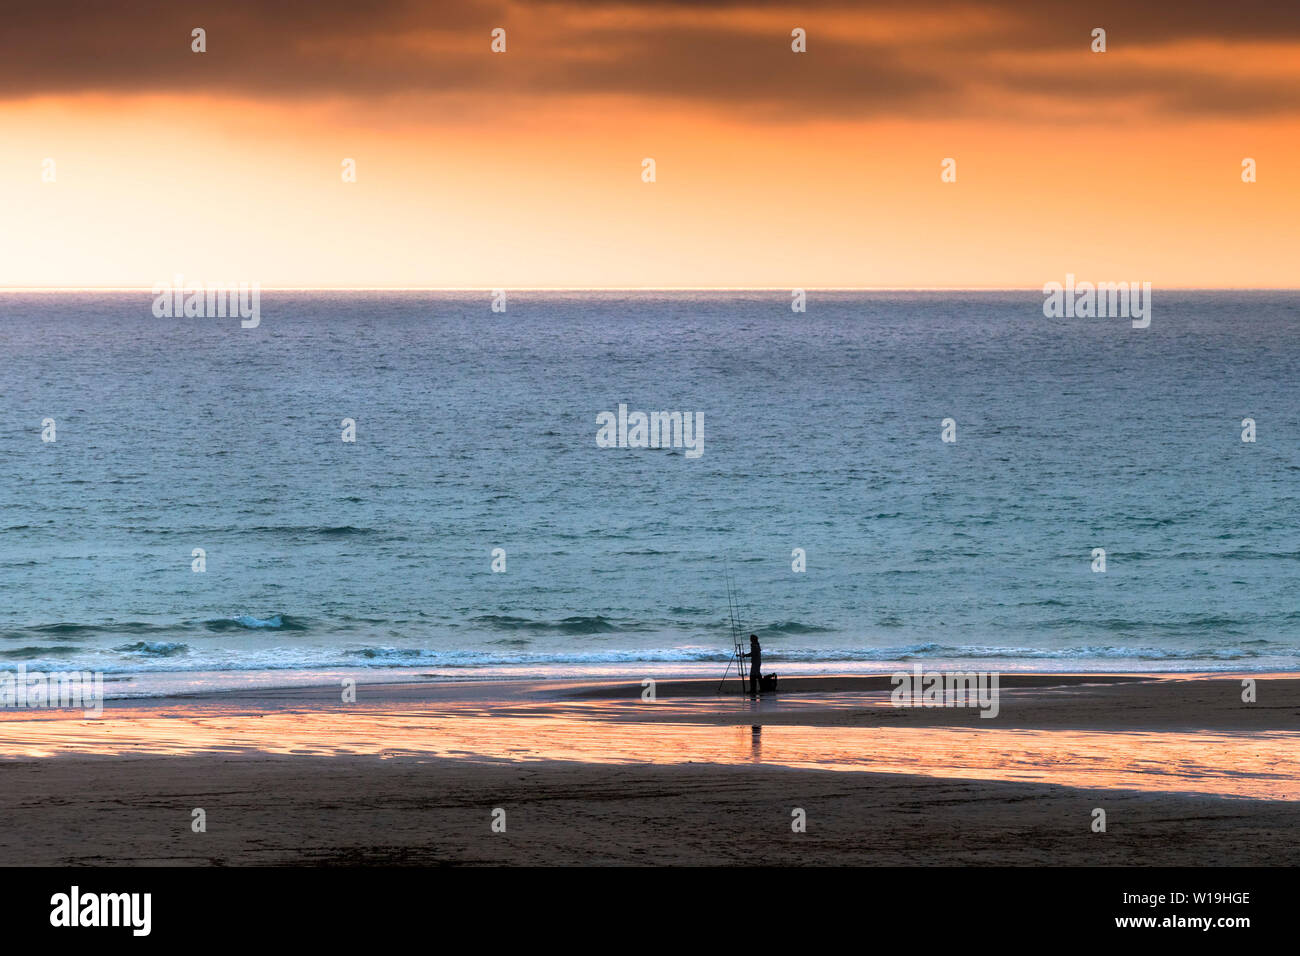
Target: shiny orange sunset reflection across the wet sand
{"points": [[1262, 764]]}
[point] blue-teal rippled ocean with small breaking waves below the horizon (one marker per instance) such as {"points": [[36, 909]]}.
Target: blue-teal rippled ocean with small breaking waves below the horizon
{"points": [[478, 431]]}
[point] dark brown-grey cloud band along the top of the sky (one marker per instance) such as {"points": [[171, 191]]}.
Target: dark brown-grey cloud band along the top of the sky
{"points": [[298, 49]]}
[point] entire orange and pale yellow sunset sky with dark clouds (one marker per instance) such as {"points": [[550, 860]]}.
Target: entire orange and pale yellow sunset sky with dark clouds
{"points": [[774, 170]]}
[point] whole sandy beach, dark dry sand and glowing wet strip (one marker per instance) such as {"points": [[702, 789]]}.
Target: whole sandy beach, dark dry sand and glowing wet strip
{"points": [[1186, 772]]}
